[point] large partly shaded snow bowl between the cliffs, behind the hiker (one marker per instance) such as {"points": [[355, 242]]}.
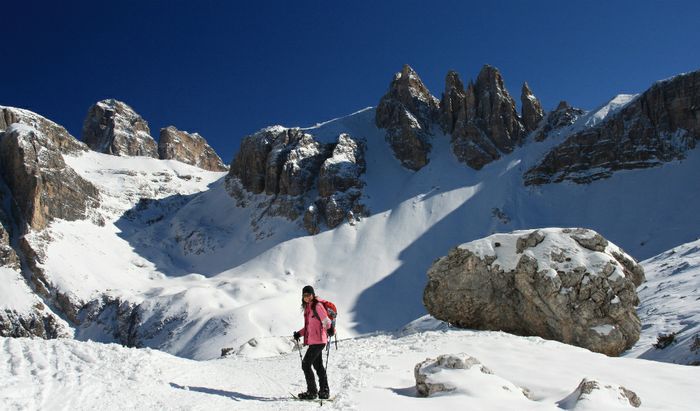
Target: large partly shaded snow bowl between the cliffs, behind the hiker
{"points": [[205, 276]]}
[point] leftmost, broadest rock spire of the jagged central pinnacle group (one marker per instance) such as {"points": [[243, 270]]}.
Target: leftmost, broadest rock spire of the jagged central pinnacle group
{"points": [[407, 111]]}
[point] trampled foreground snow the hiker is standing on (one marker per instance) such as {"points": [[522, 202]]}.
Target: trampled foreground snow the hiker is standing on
{"points": [[370, 373]]}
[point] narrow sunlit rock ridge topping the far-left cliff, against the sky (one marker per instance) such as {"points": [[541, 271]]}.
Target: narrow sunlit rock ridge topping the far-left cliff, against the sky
{"points": [[57, 135]]}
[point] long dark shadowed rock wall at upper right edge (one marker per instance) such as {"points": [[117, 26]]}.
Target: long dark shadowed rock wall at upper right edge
{"points": [[659, 126]]}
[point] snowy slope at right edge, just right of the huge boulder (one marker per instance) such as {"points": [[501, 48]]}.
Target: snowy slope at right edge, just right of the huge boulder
{"points": [[670, 304]]}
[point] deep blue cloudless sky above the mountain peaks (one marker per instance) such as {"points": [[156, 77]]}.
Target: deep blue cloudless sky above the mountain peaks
{"points": [[226, 69]]}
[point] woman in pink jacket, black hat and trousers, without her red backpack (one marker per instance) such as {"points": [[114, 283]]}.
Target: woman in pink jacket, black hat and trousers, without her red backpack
{"points": [[316, 322]]}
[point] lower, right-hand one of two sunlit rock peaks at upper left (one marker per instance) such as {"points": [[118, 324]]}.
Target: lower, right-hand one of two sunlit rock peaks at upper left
{"points": [[193, 149]]}
